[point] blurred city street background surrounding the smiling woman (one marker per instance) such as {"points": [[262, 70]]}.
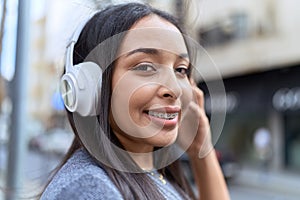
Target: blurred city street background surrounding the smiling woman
{"points": [[254, 44]]}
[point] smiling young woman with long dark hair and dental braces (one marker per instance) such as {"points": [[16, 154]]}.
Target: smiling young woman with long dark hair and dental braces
{"points": [[148, 103]]}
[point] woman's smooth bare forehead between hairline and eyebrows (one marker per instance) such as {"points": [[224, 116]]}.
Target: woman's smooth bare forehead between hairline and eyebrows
{"points": [[153, 32]]}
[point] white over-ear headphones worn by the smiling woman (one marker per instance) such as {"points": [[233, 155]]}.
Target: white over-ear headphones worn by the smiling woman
{"points": [[80, 86]]}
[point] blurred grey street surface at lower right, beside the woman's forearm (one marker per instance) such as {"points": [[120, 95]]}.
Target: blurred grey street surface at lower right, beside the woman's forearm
{"points": [[251, 184]]}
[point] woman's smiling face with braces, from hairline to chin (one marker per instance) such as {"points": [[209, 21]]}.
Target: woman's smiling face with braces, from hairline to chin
{"points": [[150, 85]]}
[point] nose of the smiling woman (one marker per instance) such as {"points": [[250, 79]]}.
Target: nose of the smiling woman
{"points": [[169, 87]]}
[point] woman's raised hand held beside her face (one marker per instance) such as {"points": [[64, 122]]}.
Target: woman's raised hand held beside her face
{"points": [[194, 131]]}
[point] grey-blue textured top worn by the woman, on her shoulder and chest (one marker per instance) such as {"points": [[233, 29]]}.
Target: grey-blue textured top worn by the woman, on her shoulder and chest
{"points": [[81, 178]]}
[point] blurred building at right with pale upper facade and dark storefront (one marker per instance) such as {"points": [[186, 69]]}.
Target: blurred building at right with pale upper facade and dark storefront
{"points": [[255, 46]]}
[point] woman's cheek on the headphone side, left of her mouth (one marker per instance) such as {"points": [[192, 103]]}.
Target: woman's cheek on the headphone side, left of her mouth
{"points": [[127, 112]]}
